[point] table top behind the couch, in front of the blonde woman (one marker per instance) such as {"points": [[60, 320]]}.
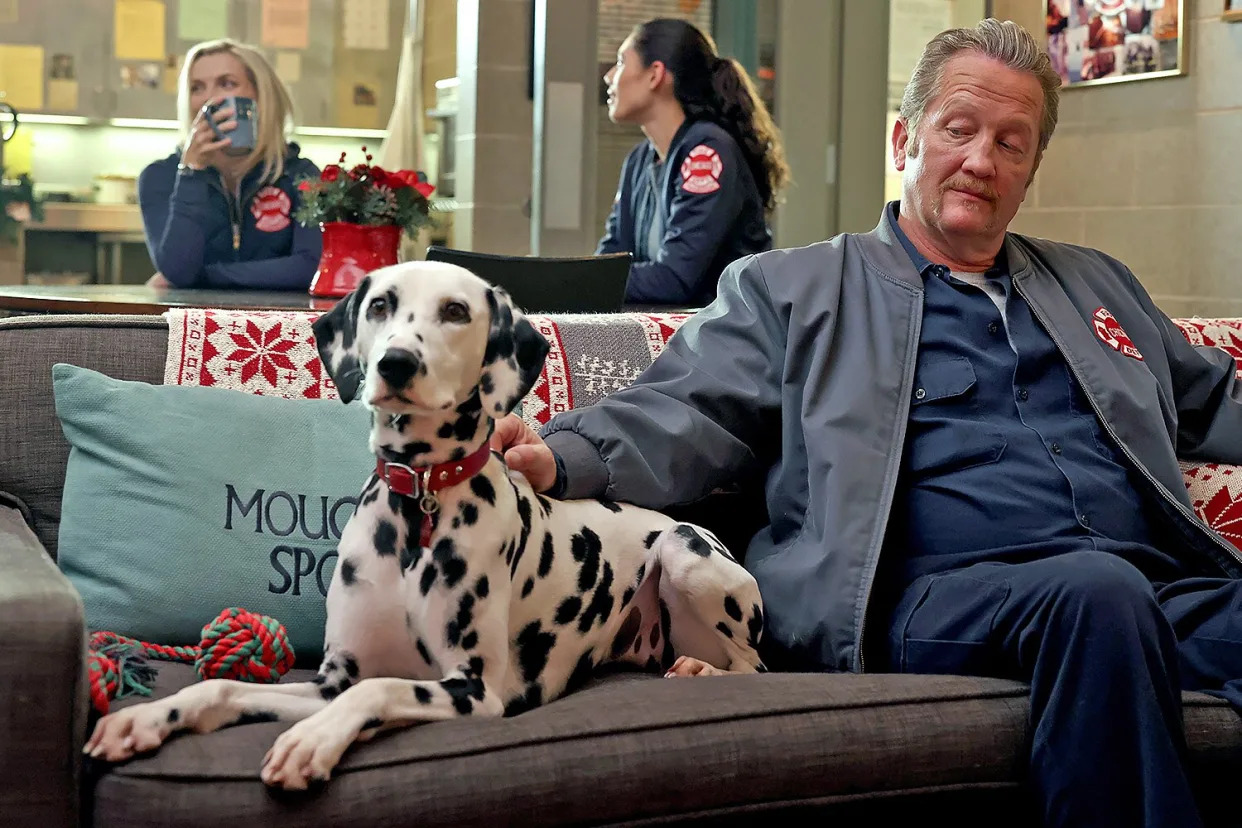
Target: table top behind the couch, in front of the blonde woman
{"points": [[142, 300]]}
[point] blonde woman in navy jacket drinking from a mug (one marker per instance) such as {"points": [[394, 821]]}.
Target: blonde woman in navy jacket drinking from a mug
{"points": [[218, 217]]}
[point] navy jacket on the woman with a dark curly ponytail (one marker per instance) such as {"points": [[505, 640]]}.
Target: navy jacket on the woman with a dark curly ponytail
{"points": [[706, 212]]}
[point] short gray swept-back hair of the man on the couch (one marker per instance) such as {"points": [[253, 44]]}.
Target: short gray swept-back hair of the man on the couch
{"points": [[1004, 42]]}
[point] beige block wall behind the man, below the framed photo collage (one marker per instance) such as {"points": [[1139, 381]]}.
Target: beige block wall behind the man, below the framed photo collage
{"points": [[1151, 171]]}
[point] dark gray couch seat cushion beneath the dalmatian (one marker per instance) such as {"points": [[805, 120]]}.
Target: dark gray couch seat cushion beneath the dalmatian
{"points": [[632, 748]]}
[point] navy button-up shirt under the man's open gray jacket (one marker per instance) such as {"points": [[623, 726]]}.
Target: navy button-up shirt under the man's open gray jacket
{"points": [[1005, 460]]}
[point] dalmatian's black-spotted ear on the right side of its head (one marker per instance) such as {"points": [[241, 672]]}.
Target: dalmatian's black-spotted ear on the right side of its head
{"points": [[515, 357]]}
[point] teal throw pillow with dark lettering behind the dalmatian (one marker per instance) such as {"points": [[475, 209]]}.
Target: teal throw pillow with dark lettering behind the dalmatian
{"points": [[184, 501]]}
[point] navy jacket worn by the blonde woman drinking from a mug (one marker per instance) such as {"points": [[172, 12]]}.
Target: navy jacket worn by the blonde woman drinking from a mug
{"points": [[201, 236]]}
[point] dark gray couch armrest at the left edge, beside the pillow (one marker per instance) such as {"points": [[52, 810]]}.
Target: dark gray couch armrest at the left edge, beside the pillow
{"points": [[43, 683]]}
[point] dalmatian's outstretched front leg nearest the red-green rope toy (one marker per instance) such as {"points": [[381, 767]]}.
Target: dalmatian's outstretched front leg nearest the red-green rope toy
{"points": [[214, 704]]}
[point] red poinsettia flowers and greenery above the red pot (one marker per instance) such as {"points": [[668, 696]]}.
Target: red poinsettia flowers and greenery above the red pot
{"points": [[366, 194]]}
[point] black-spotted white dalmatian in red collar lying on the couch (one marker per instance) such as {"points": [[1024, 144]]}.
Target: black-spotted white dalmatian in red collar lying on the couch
{"points": [[459, 590]]}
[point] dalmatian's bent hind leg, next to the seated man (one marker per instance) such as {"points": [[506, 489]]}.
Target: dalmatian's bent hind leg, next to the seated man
{"points": [[714, 611]]}
